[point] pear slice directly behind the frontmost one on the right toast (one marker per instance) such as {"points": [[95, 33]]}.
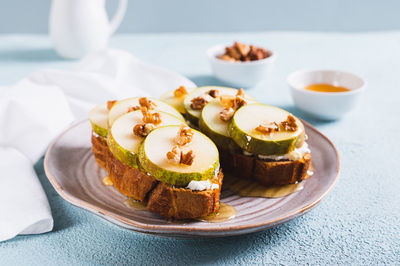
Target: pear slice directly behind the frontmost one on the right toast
{"points": [[215, 128]]}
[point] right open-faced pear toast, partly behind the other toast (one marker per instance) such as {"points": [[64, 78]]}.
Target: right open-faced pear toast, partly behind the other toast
{"points": [[256, 141]]}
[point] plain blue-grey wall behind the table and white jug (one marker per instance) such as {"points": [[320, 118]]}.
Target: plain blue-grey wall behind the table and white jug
{"points": [[31, 16]]}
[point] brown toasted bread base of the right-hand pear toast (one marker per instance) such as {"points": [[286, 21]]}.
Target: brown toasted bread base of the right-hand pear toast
{"points": [[266, 172]]}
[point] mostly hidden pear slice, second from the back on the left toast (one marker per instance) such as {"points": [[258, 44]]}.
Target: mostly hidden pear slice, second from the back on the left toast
{"points": [[121, 107]]}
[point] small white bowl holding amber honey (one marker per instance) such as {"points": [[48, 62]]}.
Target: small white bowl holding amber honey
{"points": [[325, 105]]}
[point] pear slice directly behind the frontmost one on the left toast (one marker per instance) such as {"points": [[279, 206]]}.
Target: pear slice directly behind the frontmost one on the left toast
{"points": [[123, 143]]}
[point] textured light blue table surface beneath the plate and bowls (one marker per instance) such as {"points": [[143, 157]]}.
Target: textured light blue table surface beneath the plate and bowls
{"points": [[357, 223]]}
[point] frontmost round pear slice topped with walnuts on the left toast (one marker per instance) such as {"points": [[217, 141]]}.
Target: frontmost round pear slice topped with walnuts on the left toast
{"points": [[153, 158]]}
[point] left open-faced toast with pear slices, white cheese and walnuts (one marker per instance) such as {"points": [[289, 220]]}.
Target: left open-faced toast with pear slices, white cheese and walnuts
{"points": [[152, 156]]}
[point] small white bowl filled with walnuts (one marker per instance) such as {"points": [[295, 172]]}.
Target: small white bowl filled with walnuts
{"points": [[239, 74]]}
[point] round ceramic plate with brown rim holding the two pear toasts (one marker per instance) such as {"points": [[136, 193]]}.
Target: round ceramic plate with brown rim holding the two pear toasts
{"points": [[71, 168]]}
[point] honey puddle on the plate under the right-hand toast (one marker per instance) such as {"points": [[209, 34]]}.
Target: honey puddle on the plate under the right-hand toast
{"points": [[248, 188]]}
